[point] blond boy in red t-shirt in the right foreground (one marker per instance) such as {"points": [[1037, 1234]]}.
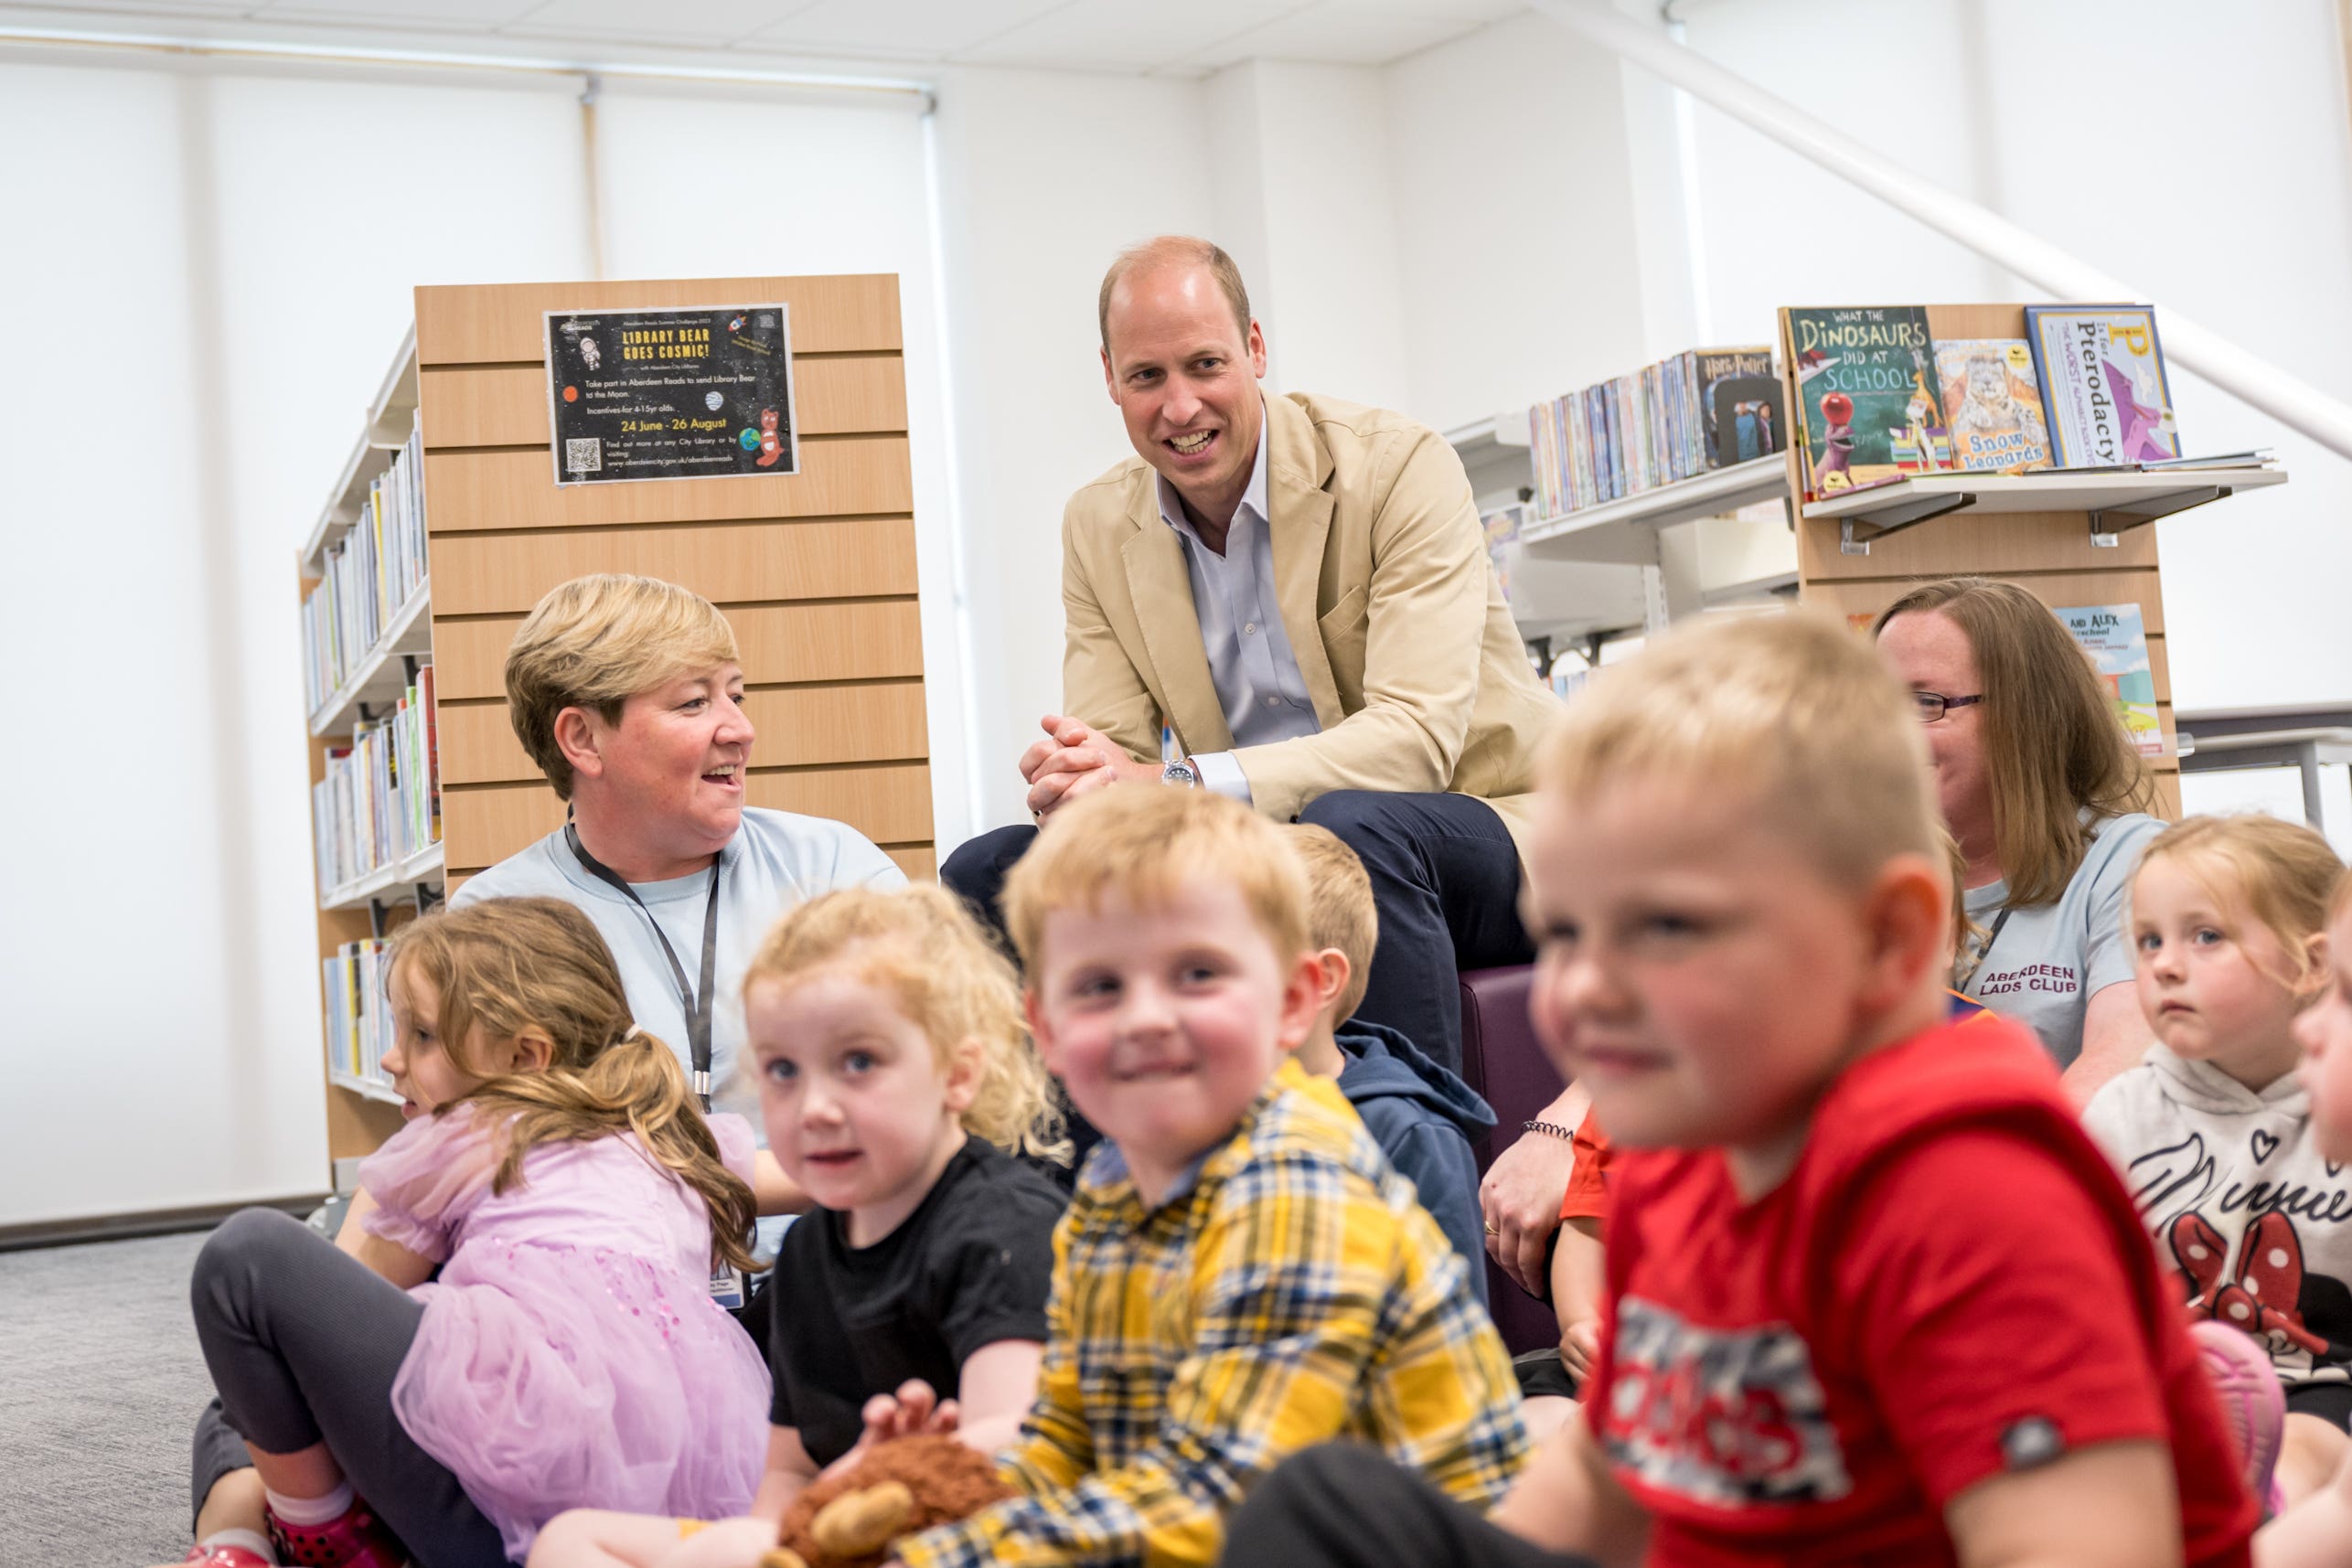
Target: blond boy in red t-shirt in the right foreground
{"points": [[1871, 1292]]}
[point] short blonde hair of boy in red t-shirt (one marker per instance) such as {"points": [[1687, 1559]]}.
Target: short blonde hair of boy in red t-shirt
{"points": [[1791, 711]]}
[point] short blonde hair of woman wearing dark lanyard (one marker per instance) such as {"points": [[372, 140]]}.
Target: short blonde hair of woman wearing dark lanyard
{"points": [[596, 643]]}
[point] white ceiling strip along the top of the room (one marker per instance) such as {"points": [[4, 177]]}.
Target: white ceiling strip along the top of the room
{"points": [[1128, 36]]}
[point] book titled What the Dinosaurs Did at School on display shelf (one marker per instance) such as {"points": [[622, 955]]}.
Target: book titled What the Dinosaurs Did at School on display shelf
{"points": [[1871, 410]]}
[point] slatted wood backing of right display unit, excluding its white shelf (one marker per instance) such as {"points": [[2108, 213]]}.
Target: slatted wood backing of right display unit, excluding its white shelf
{"points": [[2047, 554]]}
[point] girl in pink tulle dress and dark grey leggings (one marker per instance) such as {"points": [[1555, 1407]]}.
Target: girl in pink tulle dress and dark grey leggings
{"points": [[568, 1351]]}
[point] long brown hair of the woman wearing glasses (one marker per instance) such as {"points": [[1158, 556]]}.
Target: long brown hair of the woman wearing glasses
{"points": [[2054, 744]]}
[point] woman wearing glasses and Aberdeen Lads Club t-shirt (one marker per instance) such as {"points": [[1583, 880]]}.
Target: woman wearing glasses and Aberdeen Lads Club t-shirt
{"points": [[2050, 805]]}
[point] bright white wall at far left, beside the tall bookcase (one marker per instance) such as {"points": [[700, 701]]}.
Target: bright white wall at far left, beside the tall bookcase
{"points": [[213, 288]]}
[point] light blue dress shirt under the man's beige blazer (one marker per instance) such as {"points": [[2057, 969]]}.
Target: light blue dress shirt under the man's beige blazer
{"points": [[1241, 631]]}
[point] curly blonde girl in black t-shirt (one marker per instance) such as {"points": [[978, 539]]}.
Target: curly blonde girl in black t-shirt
{"points": [[897, 1085]]}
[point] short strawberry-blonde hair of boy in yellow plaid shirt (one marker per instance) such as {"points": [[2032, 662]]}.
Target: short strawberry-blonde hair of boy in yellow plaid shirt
{"points": [[1144, 843]]}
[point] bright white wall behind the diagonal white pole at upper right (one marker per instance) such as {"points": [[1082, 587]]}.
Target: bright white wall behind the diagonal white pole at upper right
{"points": [[2200, 154]]}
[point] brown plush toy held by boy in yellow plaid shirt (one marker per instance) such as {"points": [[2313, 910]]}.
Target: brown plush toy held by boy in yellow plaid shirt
{"points": [[900, 1489]]}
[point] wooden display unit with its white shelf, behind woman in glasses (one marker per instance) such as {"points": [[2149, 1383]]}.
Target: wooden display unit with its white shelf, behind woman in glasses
{"points": [[2066, 537]]}
